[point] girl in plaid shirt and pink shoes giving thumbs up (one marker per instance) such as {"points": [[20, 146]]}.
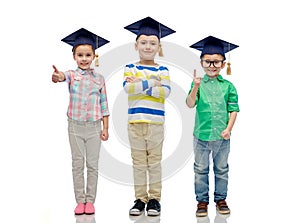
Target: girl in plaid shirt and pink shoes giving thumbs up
{"points": [[87, 108]]}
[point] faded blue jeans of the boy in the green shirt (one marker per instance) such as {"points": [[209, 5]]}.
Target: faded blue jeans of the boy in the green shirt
{"points": [[220, 151]]}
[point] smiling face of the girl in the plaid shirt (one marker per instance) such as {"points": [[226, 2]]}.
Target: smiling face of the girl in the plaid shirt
{"points": [[84, 56]]}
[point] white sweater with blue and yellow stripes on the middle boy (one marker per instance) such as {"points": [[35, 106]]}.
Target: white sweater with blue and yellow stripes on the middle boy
{"points": [[146, 102]]}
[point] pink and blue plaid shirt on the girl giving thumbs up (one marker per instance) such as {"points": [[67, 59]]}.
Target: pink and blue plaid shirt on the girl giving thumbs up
{"points": [[88, 99]]}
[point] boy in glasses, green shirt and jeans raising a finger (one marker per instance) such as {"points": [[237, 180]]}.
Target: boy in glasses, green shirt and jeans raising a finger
{"points": [[216, 102]]}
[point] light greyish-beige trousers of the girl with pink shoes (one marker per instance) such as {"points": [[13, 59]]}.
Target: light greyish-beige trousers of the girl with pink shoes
{"points": [[85, 146]]}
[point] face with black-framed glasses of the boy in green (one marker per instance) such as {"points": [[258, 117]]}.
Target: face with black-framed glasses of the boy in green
{"points": [[212, 64]]}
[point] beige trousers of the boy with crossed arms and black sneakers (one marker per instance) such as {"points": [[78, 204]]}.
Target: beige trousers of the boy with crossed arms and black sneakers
{"points": [[146, 141]]}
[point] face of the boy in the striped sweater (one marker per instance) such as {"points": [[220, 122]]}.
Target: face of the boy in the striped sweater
{"points": [[147, 46]]}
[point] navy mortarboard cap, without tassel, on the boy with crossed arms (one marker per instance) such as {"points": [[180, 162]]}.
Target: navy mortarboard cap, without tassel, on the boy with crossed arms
{"points": [[149, 26]]}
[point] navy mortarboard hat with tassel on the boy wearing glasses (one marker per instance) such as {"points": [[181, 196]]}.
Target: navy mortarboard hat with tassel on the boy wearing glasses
{"points": [[213, 45]]}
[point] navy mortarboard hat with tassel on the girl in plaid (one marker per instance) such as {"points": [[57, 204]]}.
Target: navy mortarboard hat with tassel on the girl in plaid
{"points": [[83, 36]]}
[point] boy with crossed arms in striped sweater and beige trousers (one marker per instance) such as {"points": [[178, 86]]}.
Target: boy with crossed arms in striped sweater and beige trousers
{"points": [[147, 85]]}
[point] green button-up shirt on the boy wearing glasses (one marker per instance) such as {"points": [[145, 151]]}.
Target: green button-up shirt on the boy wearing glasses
{"points": [[216, 98]]}
